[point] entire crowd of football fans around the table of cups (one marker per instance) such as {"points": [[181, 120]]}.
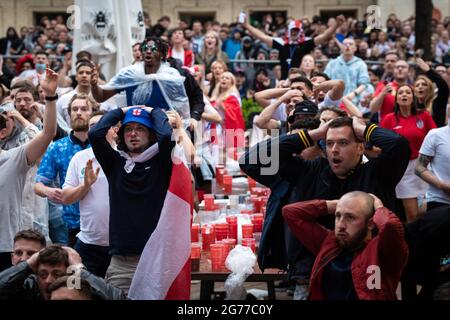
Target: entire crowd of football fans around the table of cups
{"points": [[355, 122]]}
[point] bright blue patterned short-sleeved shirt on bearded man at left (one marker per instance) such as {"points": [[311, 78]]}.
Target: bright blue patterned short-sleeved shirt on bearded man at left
{"points": [[55, 164]]}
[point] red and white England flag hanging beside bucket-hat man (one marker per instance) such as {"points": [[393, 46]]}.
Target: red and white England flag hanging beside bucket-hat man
{"points": [[164, 269]]}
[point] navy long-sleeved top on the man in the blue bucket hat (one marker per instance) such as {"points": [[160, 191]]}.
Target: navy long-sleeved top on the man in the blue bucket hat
{"points": [[135, 198]]}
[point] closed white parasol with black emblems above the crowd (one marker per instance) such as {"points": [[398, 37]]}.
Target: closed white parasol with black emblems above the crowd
{"points": [[108, 29]]}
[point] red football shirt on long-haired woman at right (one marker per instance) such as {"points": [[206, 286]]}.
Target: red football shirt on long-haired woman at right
{"points": [[414, 128]]}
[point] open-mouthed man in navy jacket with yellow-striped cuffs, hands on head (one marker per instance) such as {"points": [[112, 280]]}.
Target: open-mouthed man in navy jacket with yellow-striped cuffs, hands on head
{"points": [[342, 171]]}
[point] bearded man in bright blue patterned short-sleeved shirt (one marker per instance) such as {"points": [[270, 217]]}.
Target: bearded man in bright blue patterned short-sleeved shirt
{"points": [[57, 158]]}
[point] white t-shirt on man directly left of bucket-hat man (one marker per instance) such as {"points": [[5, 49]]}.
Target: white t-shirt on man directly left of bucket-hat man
{"points": [[94, 208]]}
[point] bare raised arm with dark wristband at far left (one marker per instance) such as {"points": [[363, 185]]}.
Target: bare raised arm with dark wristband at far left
{"points": [[37, 146]]}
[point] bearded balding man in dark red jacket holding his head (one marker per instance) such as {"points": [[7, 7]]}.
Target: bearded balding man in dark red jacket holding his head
{"points": [[352, 263]]}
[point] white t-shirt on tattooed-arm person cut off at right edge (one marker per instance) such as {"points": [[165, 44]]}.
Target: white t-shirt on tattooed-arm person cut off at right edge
{"points": [[436, 145]]}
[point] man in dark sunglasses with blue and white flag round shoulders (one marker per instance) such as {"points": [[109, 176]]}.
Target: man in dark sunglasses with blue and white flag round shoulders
{"points": [[140, 88]]}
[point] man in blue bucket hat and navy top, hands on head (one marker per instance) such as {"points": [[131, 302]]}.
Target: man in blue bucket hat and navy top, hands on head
{"points": [[138, 175]]}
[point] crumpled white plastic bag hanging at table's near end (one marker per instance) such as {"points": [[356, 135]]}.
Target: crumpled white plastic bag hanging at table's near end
{"points": [[240, 262]]}
